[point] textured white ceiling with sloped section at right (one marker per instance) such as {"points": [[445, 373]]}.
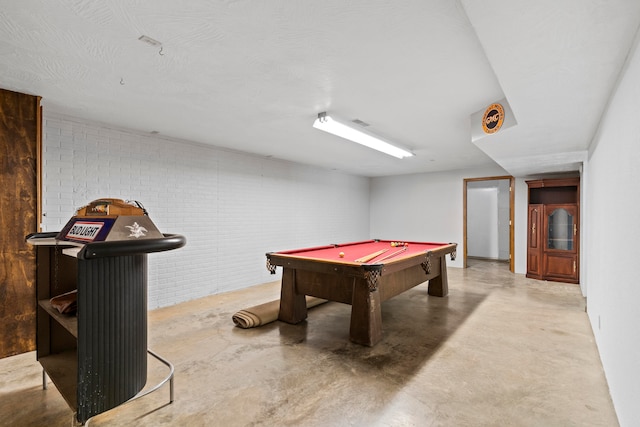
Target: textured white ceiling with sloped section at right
{"points": [[252, 75]]}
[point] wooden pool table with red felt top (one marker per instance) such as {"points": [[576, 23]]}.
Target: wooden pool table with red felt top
{"points": [[363, 274]]}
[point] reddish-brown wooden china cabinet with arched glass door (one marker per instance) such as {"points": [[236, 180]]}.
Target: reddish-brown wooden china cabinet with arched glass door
{"points": [[553, 237]]}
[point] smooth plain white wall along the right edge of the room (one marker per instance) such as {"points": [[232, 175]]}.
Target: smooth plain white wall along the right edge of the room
{"points": [[613, 228]]}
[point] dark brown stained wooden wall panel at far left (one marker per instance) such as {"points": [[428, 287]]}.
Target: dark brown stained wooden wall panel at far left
{"points": [[19, 148]]}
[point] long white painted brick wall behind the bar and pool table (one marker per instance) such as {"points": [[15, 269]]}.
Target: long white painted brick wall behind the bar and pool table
{"points": [[231, 207]]}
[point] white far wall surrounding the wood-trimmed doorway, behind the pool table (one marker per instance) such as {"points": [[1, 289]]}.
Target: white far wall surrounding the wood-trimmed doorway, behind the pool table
{"points": [[423, 207]]}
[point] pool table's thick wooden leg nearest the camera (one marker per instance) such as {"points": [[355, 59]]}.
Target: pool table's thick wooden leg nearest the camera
{"points": [[366, 314]]}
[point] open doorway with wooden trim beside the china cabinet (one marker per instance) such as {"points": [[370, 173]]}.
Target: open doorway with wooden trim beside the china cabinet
{"points": [[488, 216]]}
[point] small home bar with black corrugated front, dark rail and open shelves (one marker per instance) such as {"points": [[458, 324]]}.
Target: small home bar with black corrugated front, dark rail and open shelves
{"points": [[97, 359]]}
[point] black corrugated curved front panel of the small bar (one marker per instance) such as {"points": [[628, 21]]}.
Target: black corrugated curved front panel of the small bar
{"points": [[112, 321]]}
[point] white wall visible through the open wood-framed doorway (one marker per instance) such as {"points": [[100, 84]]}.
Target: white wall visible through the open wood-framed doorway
{"points": [[482, 222]]}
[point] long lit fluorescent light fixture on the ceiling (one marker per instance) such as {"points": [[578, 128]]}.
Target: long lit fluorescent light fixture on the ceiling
{"points": [[358, 134]]}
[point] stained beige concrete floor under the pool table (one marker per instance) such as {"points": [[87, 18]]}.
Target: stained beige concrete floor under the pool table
{"points": [[500, 350]]}
